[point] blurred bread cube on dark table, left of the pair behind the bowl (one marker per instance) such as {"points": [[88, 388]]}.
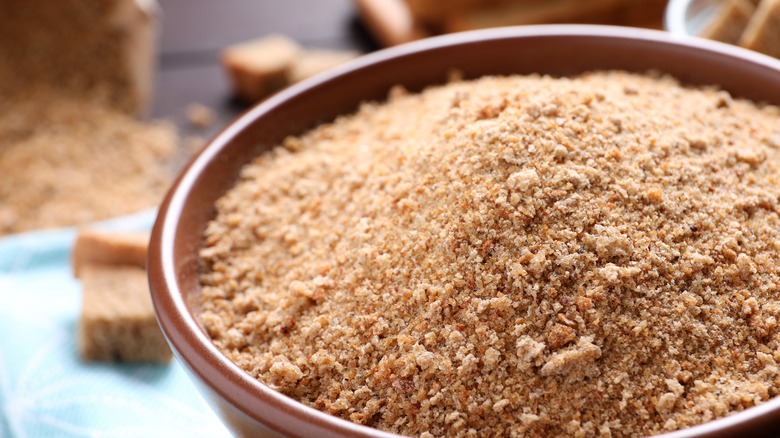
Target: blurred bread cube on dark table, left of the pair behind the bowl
{"points": [[259, 67]]}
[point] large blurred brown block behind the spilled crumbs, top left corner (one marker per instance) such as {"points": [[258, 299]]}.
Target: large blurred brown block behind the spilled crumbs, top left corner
{"points": [[104, 50]]}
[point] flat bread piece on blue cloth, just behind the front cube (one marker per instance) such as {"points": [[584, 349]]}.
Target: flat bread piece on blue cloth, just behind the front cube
{"points": [[110, 248]]}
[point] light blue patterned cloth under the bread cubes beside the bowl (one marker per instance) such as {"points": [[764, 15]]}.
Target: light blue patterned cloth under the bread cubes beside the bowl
{"points": [[45, 389]]}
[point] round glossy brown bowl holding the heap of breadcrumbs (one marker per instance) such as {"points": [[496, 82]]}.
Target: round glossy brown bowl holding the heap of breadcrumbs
{"points": [[250, 408]]}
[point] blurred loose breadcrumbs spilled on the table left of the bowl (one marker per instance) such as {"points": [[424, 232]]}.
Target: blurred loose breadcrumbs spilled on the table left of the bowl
{"points": [[67, 161]]}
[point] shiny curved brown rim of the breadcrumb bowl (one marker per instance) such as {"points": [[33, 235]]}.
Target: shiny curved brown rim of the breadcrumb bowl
{"points": [[192, 346]]}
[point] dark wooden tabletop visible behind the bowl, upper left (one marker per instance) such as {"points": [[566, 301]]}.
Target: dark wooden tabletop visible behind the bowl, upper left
{"points": [[194, 31]]}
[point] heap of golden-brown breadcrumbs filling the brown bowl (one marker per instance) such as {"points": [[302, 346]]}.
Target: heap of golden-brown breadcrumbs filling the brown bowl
{"points": [[511, 256]]}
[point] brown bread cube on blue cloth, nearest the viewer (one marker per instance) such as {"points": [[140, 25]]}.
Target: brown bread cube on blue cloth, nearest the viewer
{"points": [[117, 320]]}
